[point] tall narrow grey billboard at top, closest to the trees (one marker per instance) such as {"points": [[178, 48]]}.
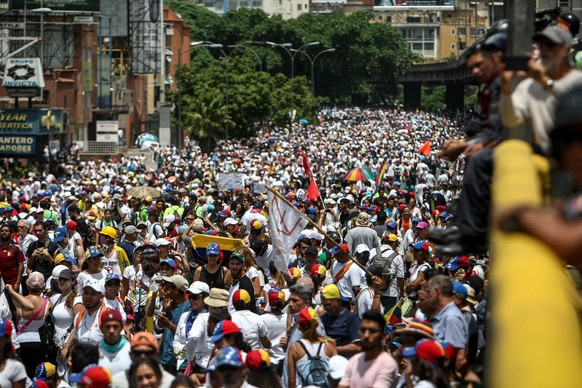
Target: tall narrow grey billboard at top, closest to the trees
{"points": [[146, 27]]}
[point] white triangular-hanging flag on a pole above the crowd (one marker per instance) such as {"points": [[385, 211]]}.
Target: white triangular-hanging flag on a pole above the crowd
{"points": [[285, 226]]}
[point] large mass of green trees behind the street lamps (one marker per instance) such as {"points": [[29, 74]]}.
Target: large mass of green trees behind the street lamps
{"points": [[364, 68]]}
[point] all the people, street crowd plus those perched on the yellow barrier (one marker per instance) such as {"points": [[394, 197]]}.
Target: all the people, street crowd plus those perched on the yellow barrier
{"points": [[118, 275]]}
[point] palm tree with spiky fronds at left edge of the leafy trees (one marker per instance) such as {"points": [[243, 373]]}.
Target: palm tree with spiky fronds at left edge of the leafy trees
{"points": [[206, 118]]}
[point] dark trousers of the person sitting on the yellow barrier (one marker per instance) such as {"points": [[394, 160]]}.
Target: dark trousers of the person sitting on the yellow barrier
{"points": [[475, 200]]}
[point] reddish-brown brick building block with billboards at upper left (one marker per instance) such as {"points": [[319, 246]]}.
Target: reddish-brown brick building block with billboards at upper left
{"points": [[106, 69]]}
